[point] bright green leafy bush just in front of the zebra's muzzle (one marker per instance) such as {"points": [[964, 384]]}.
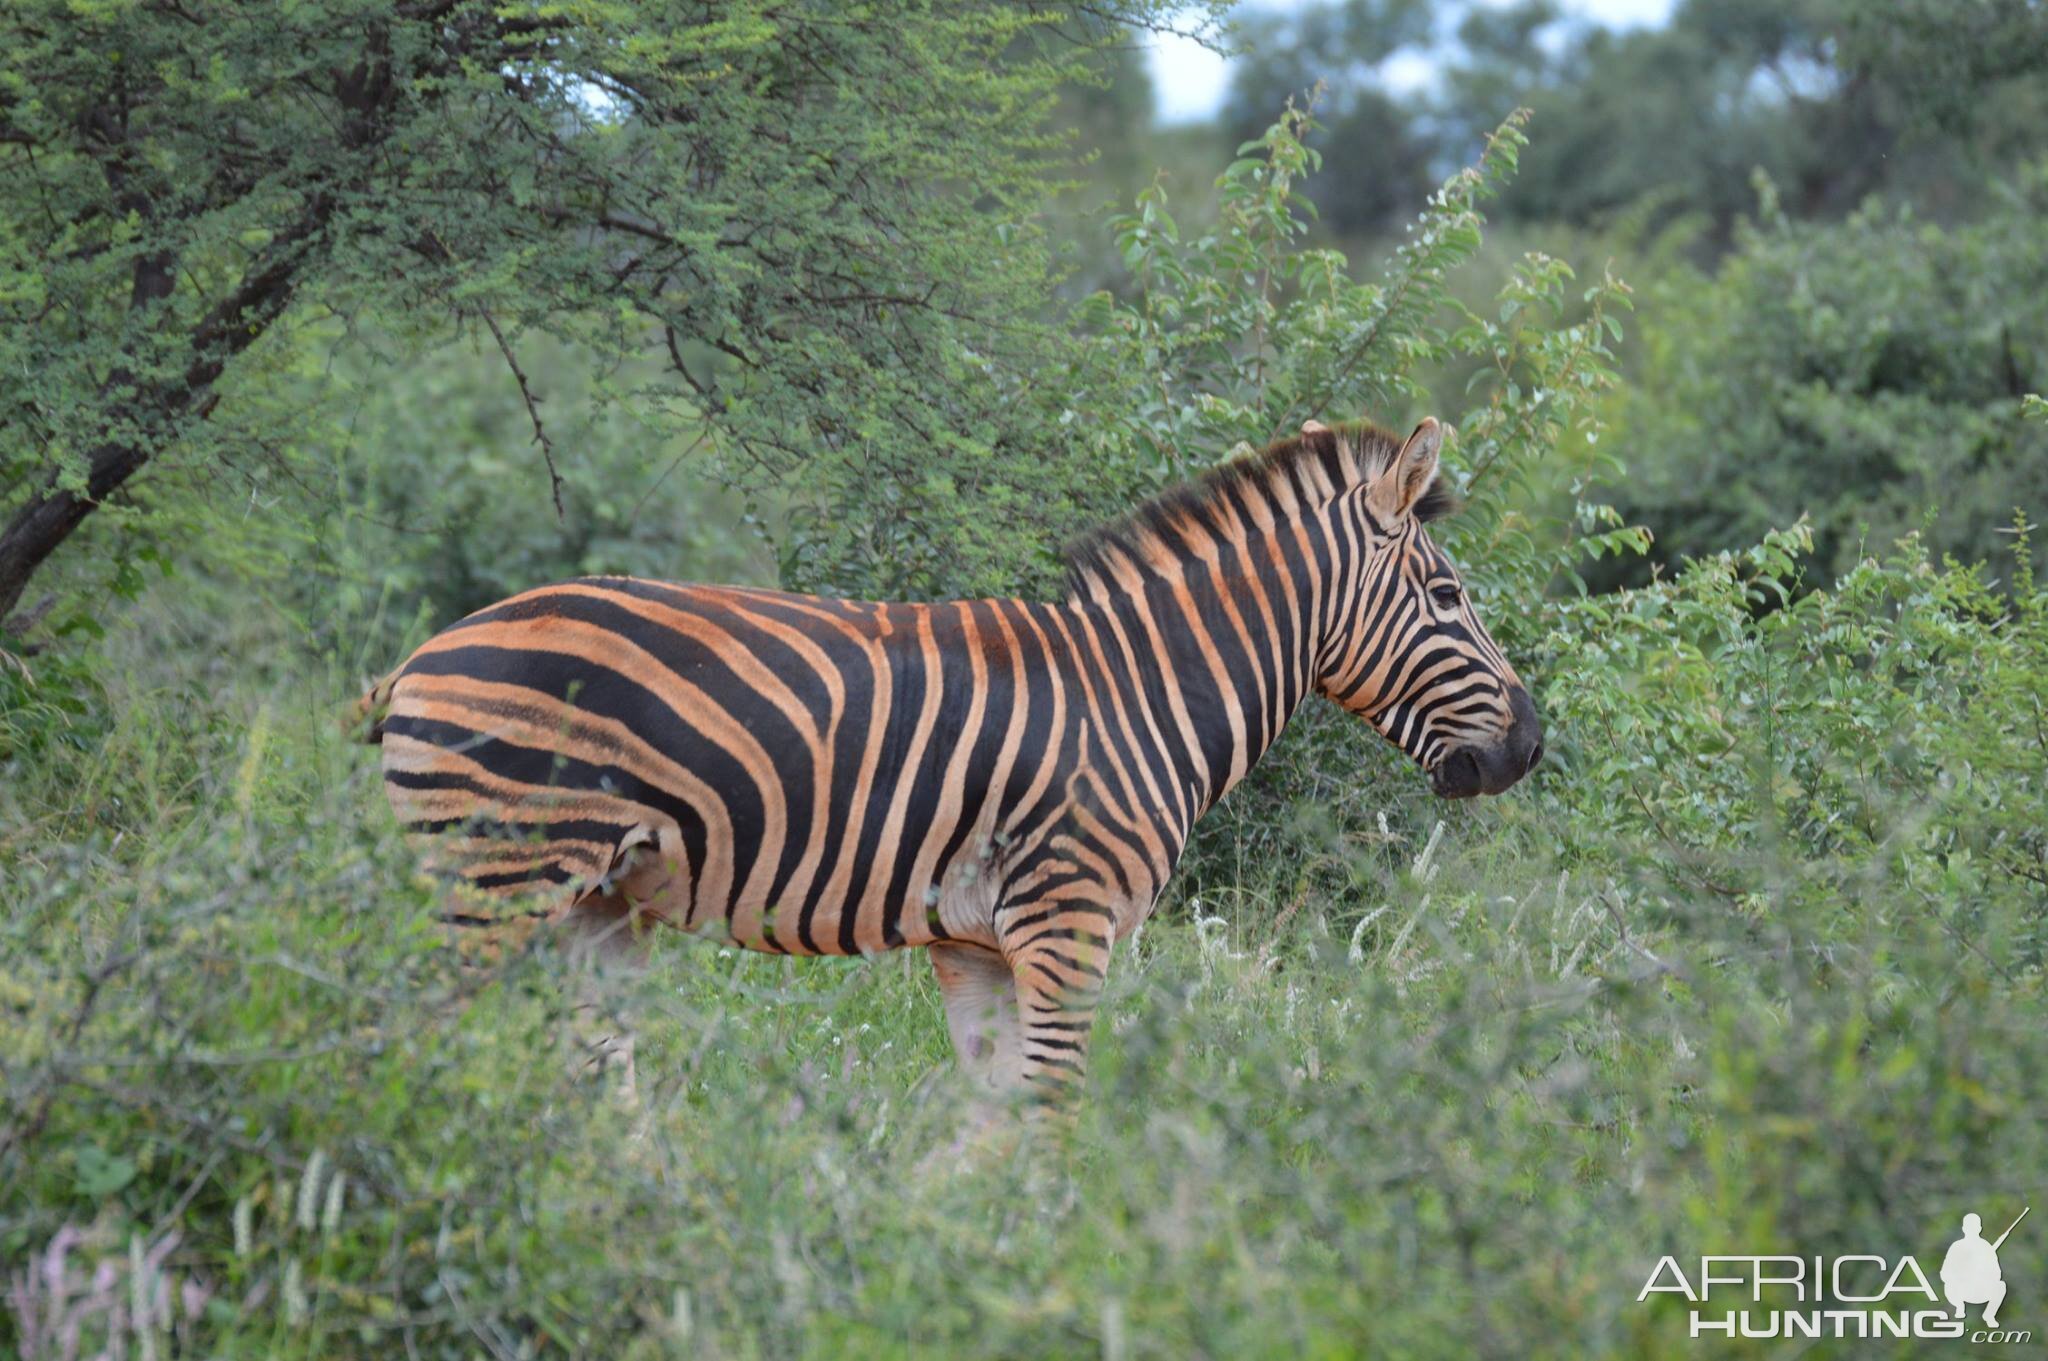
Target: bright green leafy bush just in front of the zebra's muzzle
{"points": [[1793, 750]]}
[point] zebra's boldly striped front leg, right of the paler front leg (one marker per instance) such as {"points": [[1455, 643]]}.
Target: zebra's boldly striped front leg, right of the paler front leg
{"points": [[1060, 955]]}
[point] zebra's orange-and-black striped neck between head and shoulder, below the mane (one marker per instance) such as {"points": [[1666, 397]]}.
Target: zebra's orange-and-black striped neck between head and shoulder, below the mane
{"points": [[1205, 648]]}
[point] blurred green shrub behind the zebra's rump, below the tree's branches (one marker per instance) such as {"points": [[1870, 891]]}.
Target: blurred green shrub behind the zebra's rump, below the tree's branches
{"points": [[417, 496]]}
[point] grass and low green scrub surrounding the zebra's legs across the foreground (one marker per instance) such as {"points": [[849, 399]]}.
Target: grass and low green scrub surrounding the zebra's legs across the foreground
{"points": [[1459, 1106]]}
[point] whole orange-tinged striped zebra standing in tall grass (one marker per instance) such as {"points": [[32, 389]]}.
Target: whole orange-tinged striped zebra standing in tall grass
{"points": [[1002, 783]]}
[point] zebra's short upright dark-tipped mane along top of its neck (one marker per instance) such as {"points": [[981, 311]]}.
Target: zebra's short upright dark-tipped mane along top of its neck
{"points": [[1357, 455]]}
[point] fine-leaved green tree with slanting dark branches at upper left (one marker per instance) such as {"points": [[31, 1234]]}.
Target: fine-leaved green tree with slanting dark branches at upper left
{"points": [[816, 214]]}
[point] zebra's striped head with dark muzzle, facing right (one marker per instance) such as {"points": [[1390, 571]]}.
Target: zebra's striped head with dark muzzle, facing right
{"points": [[1408, 650]]}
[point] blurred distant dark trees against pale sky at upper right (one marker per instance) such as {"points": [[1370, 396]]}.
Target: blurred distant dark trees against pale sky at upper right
{"points": [[1834, 99]]}
